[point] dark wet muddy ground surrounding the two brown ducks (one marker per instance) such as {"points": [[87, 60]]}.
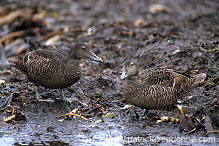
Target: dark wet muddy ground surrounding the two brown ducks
{"points": [[183, 35]]}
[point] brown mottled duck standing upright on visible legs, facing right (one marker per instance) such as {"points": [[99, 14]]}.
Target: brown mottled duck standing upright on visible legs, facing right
{"points": [[53, 68]]}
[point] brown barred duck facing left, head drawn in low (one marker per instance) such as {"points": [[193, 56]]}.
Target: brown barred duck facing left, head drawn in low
{"points": [[156, 88]]}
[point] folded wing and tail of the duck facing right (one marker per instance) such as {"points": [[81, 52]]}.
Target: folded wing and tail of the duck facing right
{"points": [[39, 63]]}
